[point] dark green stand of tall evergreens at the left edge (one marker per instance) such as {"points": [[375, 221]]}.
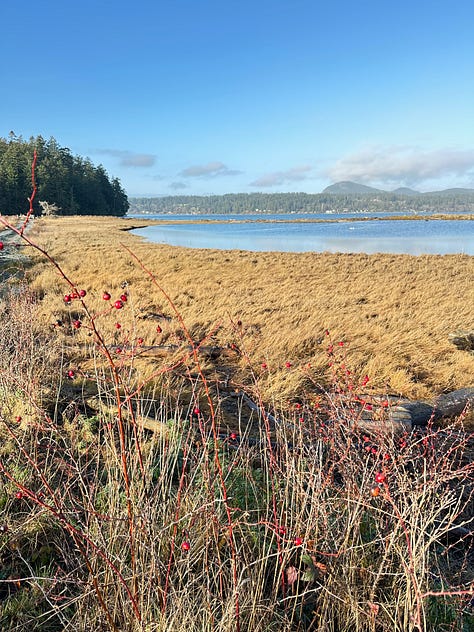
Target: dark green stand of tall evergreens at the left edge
{"points": [[67, 184]]}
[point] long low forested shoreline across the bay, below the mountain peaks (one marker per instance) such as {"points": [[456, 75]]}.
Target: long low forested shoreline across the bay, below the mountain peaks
{"points": [[441, 201]]}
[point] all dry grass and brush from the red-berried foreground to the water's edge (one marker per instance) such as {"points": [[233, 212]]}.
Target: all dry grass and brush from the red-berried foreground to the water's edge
{"points": [[140, 491]]}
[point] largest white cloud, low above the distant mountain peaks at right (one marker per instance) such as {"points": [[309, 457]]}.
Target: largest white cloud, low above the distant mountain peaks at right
{"points": [[402, 165]]}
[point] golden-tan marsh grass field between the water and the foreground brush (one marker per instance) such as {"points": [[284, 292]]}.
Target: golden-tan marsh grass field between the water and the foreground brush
{"points": [[393, 312]]}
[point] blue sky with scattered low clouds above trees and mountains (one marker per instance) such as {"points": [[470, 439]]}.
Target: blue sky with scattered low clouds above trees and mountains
{"points": [[207, 97]]}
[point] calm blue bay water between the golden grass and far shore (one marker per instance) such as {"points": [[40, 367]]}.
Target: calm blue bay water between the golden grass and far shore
{"points": [[276, 233]]}
